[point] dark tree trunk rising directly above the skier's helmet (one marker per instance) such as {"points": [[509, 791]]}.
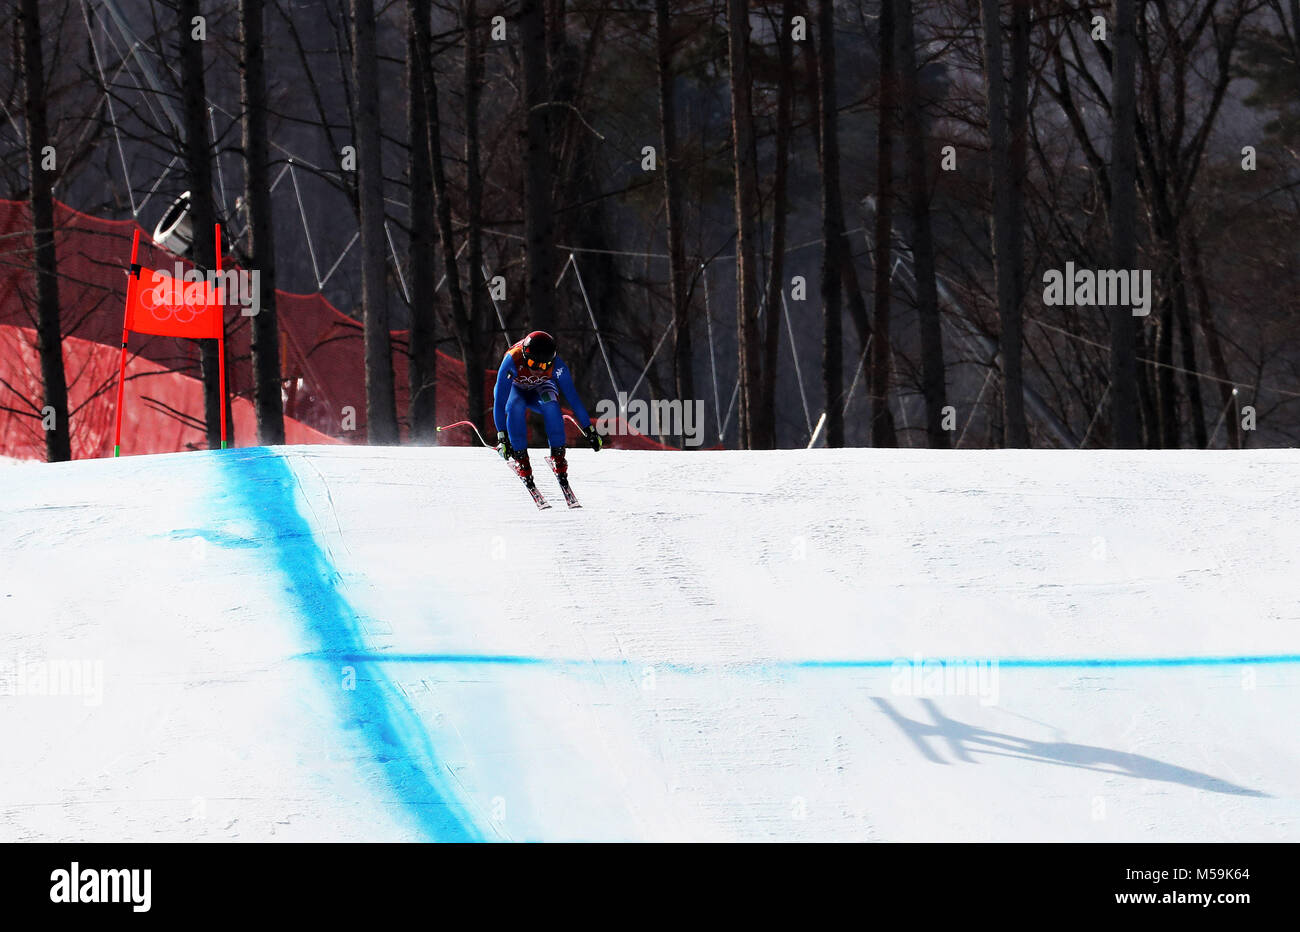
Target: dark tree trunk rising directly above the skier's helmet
{"points": [[538, 170]]}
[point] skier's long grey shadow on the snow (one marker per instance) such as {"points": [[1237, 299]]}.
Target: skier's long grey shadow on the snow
{"points": [[967, 740]]}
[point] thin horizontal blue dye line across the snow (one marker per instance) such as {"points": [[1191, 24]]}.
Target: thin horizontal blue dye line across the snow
{"points": [[866, 664]]}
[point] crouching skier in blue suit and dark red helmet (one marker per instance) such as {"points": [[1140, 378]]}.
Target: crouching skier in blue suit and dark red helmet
{"points": [[530, 379]]}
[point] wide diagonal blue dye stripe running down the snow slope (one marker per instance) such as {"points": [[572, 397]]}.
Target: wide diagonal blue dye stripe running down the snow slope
{"points": [[263, 487]]}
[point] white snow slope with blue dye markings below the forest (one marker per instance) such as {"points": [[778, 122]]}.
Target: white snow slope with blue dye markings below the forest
{"points": [[393, 644]]}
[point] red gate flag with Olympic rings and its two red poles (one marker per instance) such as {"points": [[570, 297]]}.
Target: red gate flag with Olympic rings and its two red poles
{"points": [[166, 306]]}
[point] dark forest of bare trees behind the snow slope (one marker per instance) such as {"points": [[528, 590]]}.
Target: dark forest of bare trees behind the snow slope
{"points": [[844, 232]]}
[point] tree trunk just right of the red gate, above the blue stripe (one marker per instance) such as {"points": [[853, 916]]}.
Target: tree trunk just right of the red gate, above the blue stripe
{"points": [[267, 393]]}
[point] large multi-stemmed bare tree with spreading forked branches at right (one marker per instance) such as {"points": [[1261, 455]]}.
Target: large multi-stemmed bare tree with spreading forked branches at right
{"points": [[1160, 144]]}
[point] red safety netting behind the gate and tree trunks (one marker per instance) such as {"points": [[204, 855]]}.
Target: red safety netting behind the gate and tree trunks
{"points": [[322, 356]]}
